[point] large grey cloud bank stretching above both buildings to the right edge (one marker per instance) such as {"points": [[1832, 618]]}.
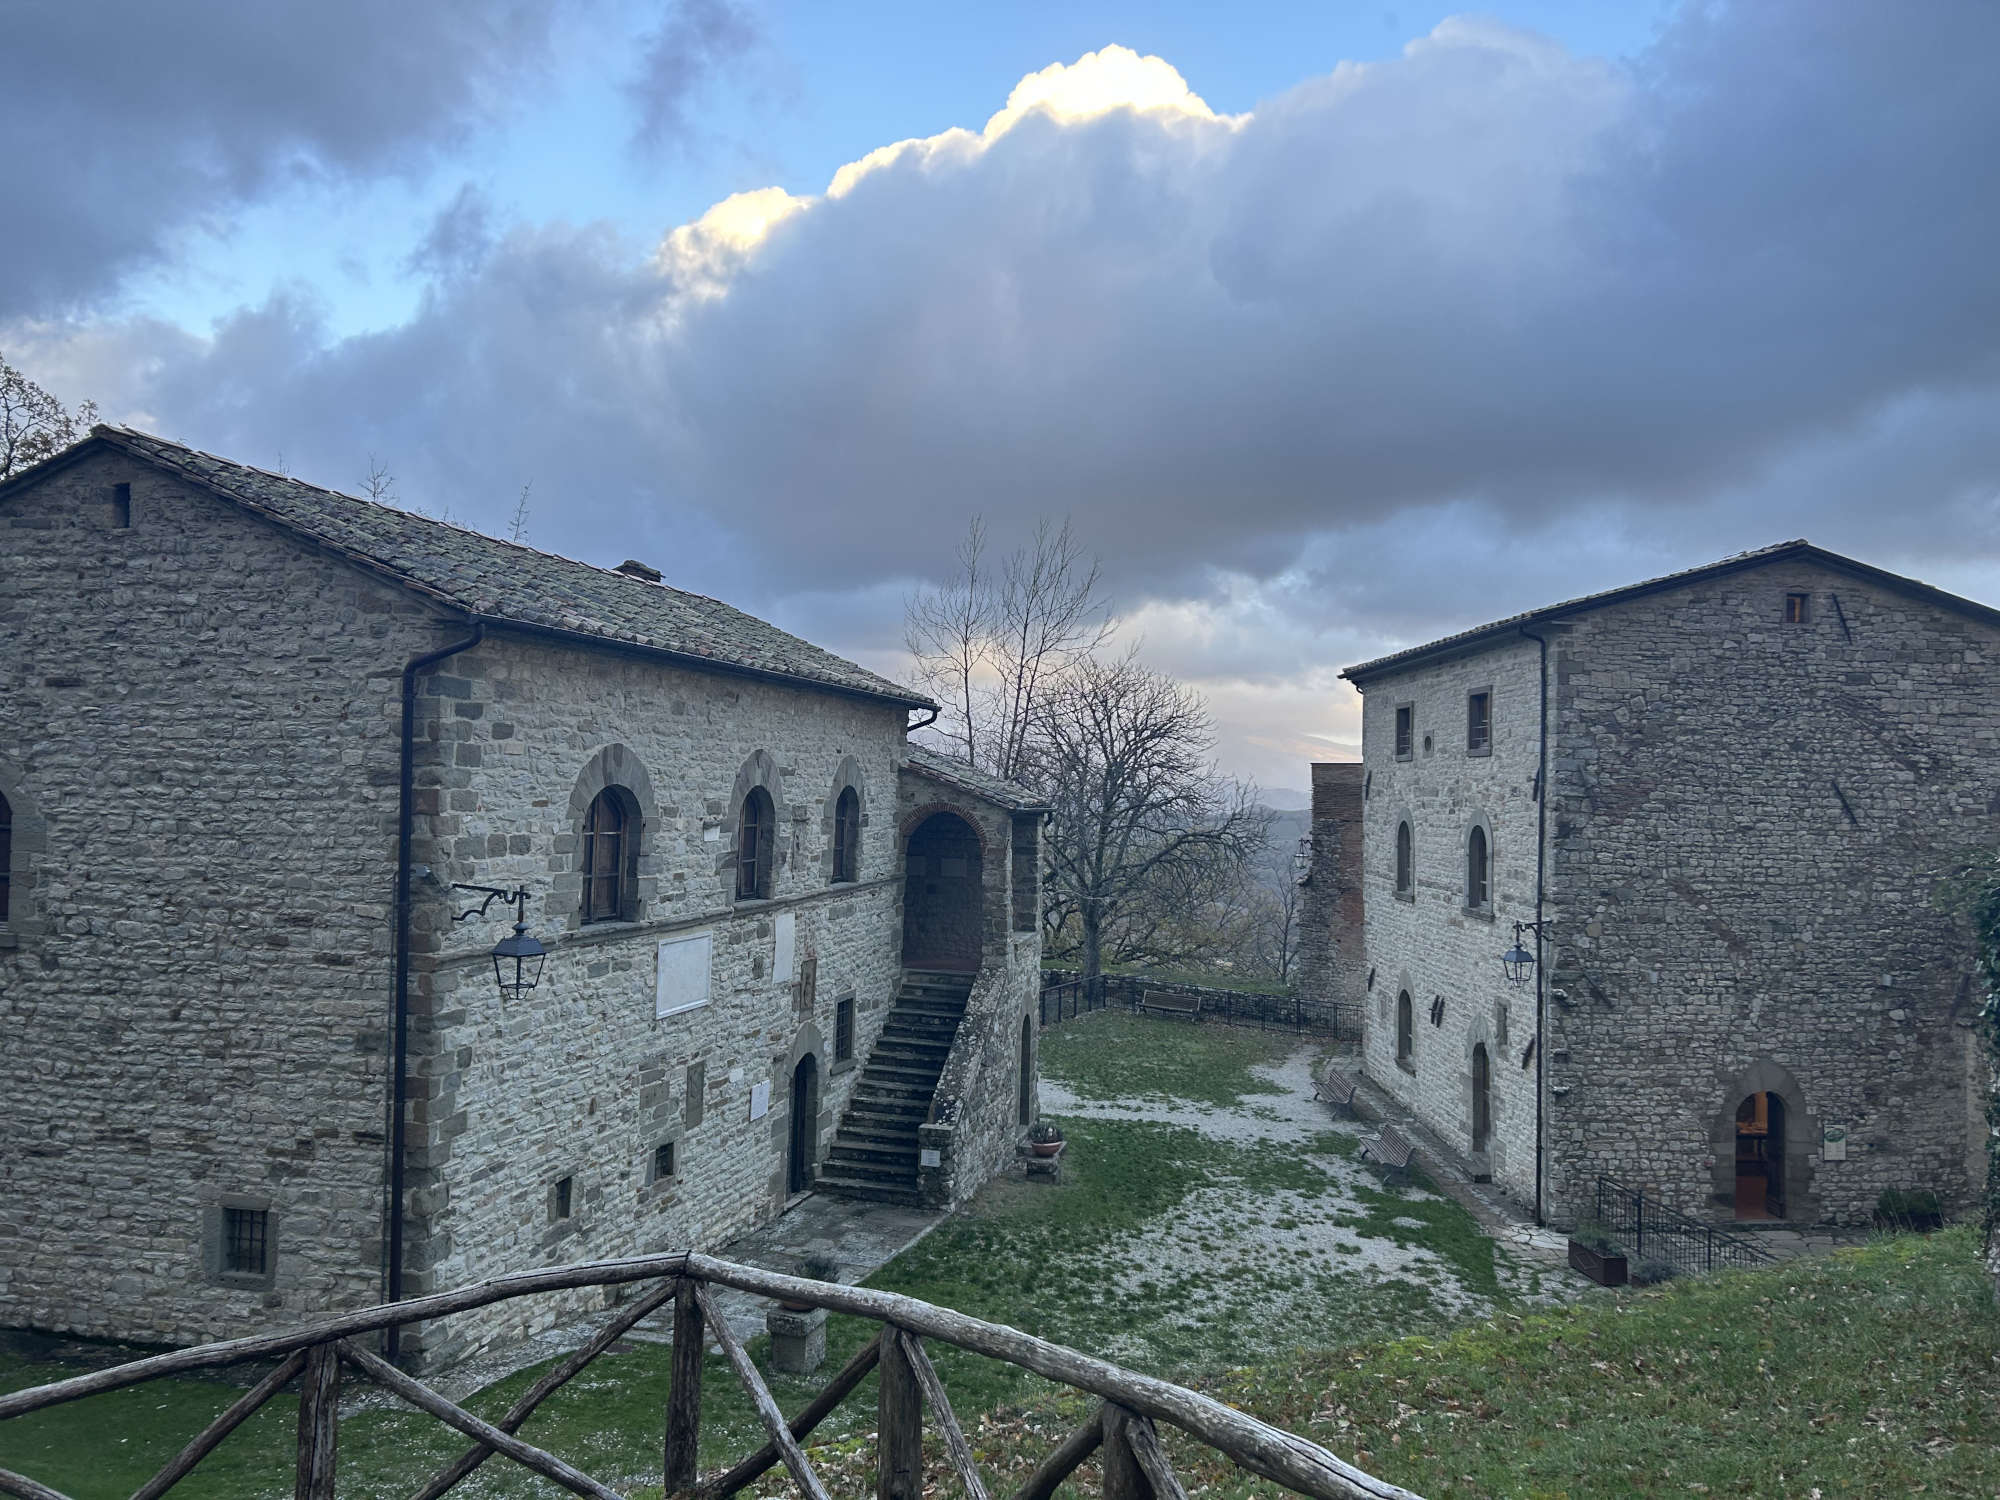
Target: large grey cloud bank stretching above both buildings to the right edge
{"points": [[1399, 347]]}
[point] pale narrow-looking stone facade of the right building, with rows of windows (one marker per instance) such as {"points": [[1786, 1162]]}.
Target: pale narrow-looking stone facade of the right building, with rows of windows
{"points": [[1427, 943]]}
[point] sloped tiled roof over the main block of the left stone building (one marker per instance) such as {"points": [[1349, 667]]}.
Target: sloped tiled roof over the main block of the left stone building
{"points": [[507, 583]]}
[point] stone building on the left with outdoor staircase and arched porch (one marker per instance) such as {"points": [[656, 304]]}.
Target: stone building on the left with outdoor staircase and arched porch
{"points": [[259, 1067]]}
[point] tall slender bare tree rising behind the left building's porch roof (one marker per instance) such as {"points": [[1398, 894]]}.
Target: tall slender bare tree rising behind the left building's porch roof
{"points": [[991, 647]]}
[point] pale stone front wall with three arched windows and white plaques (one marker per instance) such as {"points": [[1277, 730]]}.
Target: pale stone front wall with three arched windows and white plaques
{"points": [[587, 1081]]}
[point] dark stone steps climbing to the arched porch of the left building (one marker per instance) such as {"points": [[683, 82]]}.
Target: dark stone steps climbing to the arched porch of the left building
{"points": [[875, 1149]]}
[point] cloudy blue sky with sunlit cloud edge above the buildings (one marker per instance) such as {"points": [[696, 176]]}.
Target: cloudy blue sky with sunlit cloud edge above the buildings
{"points": [[1331, 327]]}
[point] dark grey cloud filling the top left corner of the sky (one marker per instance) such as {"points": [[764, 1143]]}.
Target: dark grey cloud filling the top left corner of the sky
{"points": [[133, 121]]}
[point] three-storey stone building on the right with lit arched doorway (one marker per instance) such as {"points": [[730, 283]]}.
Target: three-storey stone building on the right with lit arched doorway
{"points": [[1727, 797]]}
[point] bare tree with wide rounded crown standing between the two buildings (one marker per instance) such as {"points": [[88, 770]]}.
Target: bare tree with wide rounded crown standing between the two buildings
{"points": [[1149, 843]]}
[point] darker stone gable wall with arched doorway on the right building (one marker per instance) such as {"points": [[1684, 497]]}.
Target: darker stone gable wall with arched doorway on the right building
{"points": [[1747, 825]]}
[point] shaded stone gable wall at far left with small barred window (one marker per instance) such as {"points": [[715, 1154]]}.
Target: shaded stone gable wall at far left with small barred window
{"points": [[201, 721]]}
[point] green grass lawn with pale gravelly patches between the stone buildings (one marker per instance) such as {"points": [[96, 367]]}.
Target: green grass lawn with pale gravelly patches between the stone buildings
{"points": [[1213, 1231]]}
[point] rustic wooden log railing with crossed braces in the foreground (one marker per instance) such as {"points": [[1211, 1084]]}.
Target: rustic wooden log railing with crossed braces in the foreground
{"points": [[1133, 1461]]}
